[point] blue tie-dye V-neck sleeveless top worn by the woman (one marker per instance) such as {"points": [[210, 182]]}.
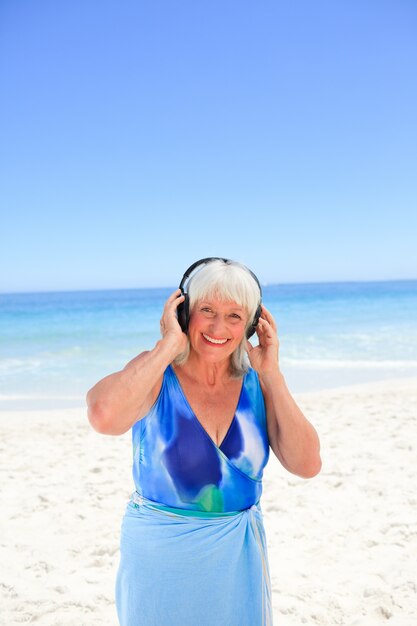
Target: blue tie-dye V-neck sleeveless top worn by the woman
{"points": [[176, 462]]}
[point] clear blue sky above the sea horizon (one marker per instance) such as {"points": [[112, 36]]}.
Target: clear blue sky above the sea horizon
{"points": [[137, 137]]}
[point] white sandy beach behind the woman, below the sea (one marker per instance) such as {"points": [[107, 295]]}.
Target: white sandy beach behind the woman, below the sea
{"points": [[342, 546]]}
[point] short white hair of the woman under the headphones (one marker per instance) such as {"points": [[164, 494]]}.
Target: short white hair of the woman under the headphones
{"points": [[230, 281]]}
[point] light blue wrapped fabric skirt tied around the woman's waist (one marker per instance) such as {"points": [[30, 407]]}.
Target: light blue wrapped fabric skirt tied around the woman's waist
{"points": [[183, 568]]}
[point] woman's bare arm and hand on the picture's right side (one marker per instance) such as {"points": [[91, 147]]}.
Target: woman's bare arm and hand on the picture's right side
{"points": [[292, 438]]}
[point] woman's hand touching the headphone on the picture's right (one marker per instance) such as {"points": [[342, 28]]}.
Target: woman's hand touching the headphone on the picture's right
{"points": [[264, 357]]}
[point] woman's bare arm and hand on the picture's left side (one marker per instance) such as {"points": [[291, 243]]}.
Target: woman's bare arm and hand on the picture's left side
{"points": [[119, 400]]}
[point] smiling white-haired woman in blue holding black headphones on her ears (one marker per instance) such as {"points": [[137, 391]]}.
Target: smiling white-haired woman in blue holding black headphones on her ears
{"points": [[193, 548]]}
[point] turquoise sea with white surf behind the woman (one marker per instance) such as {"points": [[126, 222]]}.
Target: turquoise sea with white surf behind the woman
{"points": [[55, 346]]}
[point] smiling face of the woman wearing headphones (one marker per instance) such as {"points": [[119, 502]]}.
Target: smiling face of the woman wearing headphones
{"points": [[216, 328]]}
